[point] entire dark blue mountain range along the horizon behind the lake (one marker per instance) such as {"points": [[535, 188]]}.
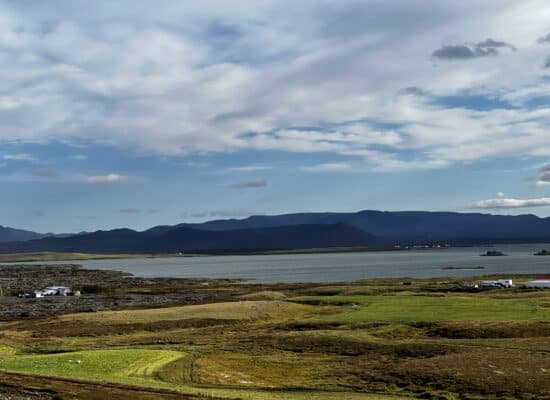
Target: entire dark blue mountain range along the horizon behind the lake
{"points": [[294, 231]]}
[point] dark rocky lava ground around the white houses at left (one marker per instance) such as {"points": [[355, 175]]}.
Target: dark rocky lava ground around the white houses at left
{"points": [[100, 290]]}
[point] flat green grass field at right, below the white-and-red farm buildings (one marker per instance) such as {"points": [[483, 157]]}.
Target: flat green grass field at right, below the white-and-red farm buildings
{"points": [[434, 309]]}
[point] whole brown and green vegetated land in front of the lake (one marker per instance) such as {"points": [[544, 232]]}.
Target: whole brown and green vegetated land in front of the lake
{"points": [[379, 339]]}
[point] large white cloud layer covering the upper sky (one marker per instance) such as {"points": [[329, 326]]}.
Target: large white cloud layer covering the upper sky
{"points": [[137, 80]]}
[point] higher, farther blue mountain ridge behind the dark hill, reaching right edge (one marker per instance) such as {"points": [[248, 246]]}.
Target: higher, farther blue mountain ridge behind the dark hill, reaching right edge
{"points": [[413, 226]]}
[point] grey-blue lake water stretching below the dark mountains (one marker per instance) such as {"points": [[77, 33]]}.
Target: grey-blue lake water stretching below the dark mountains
{"points": [[338, 266]]}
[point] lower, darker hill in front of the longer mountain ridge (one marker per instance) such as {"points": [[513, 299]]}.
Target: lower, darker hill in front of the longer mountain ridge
{"points": [[188, 239]]}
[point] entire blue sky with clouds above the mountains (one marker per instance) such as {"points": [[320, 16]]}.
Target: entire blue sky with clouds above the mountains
{"points": [[138, 113]]}
